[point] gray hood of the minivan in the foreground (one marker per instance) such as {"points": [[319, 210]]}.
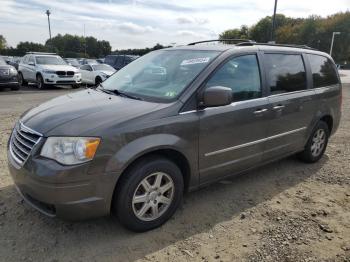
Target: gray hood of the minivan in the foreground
{"points": [[90, 106]]}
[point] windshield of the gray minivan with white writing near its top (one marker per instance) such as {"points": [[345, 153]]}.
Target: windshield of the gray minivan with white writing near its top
{"points": [[160, 75]]}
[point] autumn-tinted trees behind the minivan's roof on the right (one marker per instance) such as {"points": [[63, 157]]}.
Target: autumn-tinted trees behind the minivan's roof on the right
{"points": [[314, 31]]}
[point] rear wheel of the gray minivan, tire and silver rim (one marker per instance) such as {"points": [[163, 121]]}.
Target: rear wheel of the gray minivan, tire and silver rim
{"points": [[317, 144]]}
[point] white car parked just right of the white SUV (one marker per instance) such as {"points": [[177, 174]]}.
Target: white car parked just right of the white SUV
{"points": [[95, 74]]}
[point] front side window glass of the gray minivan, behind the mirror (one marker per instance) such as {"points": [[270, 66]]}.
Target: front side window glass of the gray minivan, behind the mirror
{"points": [[242, 75]]}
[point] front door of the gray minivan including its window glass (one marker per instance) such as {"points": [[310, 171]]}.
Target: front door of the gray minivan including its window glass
{"points": [[231, 138]]}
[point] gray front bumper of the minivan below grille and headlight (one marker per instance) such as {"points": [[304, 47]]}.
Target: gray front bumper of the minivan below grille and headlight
{"points": [[66, 192]]}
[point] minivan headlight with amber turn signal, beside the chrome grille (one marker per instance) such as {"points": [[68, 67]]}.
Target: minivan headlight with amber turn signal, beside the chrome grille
{"points": [[70, 150]]}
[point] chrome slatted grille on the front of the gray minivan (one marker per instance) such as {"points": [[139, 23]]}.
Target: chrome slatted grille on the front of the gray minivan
{"points": [[23, 140]]}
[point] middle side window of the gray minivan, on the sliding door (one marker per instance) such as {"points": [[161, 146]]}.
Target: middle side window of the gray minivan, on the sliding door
{"points": [[285, 73]]}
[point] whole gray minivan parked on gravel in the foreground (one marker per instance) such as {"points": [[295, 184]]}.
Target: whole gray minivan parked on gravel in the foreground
{"points": [[173, 121]]}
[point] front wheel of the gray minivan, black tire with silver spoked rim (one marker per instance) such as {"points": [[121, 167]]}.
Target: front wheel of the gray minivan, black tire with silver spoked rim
{"points": [[130, 191]]}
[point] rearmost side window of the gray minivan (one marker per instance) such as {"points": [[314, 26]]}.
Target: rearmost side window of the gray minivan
{"points": [[323, 71]]}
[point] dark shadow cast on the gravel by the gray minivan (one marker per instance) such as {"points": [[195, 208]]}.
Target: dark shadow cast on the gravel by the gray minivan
{"points": [[105, 238]]}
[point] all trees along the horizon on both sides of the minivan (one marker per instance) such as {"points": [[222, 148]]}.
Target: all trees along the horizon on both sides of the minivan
{"points": [[313, 31]]}
